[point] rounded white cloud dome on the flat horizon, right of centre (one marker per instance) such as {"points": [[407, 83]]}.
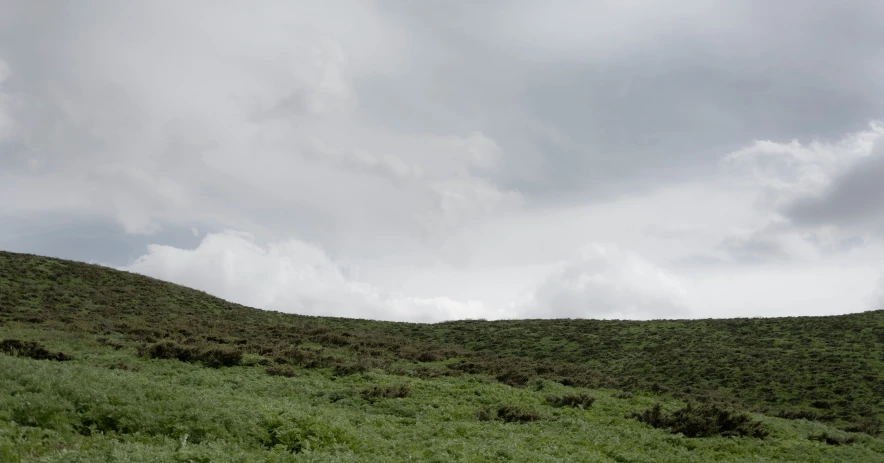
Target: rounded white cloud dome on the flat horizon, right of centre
{"points": [[605, 282]]}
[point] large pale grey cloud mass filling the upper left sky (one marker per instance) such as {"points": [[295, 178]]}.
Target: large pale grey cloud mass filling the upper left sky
{"points": [[263, 131]]}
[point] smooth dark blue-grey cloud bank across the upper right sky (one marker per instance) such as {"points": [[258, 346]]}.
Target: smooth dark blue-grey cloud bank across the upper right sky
{"points": [[657, 106]]}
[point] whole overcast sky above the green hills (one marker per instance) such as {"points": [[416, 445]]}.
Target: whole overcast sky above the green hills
{"points": [[436, 160]]}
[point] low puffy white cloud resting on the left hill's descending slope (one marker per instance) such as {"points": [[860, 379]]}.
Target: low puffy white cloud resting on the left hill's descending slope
{"points": [[290, 276]]}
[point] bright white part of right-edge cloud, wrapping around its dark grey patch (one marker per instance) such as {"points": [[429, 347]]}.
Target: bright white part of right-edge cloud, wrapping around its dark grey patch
{"points": [[778, 175]]}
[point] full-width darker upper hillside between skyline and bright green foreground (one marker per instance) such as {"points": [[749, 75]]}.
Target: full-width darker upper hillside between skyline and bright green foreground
{"points": [[823, 368]]}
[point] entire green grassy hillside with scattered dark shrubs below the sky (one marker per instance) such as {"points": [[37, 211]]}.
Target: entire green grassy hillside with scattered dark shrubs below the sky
{"points": [[102, 365]]}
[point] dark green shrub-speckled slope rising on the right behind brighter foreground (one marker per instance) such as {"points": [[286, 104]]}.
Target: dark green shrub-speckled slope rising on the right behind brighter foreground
{"points": [[829, 368]]}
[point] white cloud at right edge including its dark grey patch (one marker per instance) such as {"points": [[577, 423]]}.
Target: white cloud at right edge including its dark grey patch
{"points": [[810, 197]]}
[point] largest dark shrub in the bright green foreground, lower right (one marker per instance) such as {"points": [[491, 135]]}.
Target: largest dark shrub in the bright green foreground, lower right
{"points": [[702, 421]]}
